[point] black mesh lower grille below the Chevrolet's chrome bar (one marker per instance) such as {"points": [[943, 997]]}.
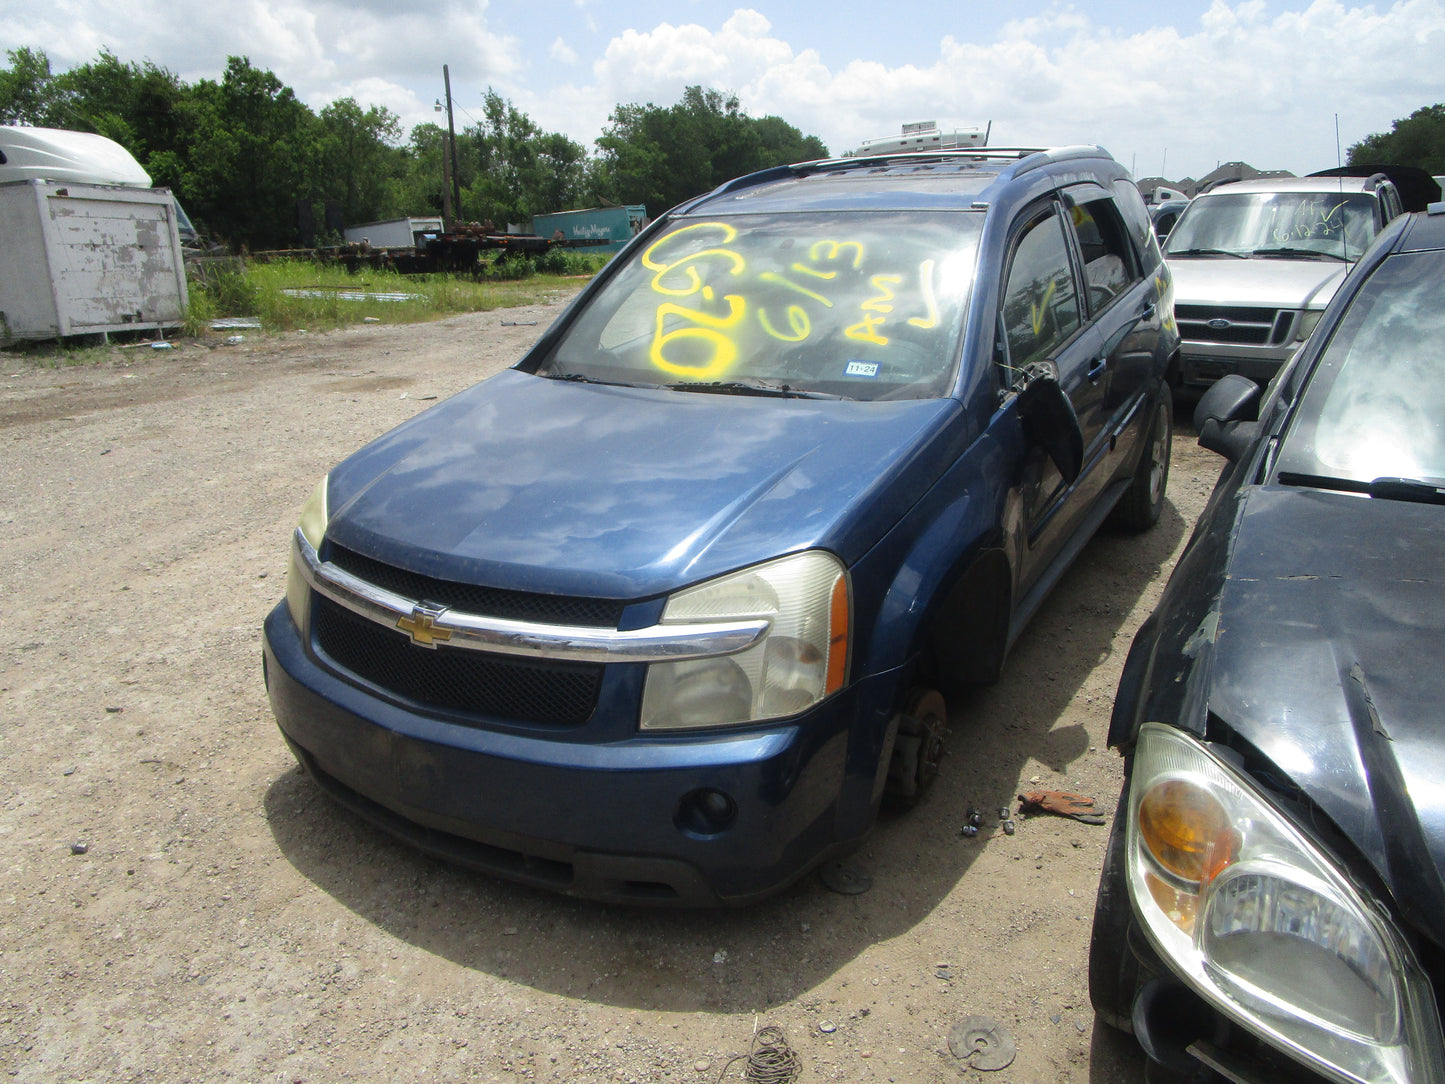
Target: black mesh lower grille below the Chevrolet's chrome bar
{"points": [[469, 684]]}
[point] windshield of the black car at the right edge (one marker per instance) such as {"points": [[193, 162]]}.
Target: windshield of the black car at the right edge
{"points": [[1375, 408]]}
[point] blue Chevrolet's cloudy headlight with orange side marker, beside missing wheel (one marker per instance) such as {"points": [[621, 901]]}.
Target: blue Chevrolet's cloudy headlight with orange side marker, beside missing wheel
{"points": [[801, 658]]}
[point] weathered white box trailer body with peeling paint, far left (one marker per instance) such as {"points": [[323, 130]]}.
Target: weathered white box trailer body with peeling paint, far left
{"points": [[82, 259]]}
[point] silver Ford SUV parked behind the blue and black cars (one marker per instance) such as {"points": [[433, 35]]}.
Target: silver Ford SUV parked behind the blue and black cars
{"points": [[1256, 262]]}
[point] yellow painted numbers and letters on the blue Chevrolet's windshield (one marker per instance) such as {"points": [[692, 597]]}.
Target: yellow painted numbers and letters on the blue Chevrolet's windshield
{"points": [[741, 297]]}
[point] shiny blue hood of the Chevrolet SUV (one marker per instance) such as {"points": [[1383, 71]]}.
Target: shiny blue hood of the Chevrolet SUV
{"points": [[613, 492]]}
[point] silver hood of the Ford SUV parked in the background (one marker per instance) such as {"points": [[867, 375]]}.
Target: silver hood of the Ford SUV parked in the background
{"points": [[1272, 284]]}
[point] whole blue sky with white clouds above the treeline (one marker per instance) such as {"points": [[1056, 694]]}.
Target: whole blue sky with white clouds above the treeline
{"points": [[1170, 87]]}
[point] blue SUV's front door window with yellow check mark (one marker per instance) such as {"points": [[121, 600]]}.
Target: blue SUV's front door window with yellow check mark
{"points": [[1041, 307]]}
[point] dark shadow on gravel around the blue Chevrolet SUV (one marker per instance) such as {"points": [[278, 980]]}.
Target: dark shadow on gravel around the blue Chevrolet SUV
{"points": [[749, 960]]}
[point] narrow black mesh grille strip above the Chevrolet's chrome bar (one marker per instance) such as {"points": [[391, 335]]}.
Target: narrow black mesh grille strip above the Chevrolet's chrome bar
{"points": [[519, 606]]}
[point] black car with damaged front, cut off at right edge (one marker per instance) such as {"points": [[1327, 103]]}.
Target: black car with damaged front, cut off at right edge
{"points": [[1272, 904]]}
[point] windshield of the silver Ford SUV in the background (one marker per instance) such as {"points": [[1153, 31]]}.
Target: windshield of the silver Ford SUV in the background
{"points": [[1301, 225]]}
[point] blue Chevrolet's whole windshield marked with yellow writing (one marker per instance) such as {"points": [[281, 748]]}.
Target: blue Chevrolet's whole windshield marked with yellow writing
{"points": [[860, 306]]}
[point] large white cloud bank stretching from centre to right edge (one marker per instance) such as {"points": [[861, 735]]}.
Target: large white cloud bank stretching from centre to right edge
{"points": [[1239, 85]]}
